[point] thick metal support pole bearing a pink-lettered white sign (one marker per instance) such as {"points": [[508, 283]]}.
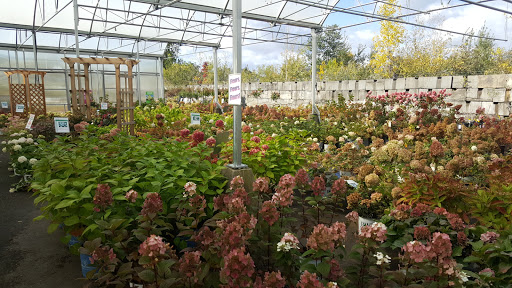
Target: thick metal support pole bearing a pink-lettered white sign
{"points": [[237, 68]]}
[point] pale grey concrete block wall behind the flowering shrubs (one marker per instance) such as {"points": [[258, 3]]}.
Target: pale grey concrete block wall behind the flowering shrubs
{"points": [[492, 92]]}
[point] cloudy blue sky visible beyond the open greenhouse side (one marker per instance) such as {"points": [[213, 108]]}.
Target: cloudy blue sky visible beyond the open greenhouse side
{"points": [[460, 19]]}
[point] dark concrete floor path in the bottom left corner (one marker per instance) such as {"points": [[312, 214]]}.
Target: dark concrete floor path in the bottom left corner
{"points": [[29, 256]]}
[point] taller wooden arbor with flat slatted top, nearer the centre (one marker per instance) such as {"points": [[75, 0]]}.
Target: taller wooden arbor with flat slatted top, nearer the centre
{"points": [[81, 98]]}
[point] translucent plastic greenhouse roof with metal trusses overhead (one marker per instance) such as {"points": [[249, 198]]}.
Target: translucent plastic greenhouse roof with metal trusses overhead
{"points": [[119, 26]]}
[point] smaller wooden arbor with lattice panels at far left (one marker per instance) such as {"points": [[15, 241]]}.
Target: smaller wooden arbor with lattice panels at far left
{"points": [[30, 95]]}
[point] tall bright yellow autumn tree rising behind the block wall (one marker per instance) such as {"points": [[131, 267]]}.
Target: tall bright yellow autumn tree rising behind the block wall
{"points": [[386, 43]]}
